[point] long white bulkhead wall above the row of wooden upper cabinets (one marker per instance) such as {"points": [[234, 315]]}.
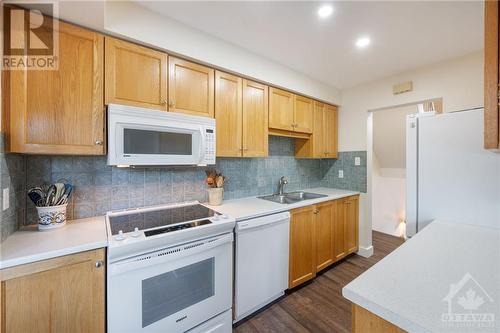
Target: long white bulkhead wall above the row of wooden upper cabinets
{"points": [[170, 35]]}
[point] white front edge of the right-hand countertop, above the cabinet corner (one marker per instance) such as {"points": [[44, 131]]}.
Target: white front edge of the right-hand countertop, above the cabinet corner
{"points": [[382, 312]]}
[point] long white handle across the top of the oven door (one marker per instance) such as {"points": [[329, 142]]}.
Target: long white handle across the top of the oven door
{"points": [[169, 254]]}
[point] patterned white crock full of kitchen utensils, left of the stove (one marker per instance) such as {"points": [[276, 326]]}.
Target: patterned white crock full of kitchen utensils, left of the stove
{"points": [[51, 202]]}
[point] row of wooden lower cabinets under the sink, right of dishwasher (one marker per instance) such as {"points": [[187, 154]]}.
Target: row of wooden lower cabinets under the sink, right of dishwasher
{"points": [[321, 235]]}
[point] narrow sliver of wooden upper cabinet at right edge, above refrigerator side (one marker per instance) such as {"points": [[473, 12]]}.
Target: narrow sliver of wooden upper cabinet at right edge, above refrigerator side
{"points": [[491, 76]]}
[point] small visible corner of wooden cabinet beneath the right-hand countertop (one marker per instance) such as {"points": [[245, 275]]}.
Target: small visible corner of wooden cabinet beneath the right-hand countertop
{"points": [[365, 321]]}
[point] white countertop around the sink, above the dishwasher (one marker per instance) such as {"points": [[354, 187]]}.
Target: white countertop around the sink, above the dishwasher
{"points": [[246, 208]]}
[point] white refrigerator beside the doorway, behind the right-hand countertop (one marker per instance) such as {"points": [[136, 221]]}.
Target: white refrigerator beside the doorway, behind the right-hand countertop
{"points": [[450, 177]]}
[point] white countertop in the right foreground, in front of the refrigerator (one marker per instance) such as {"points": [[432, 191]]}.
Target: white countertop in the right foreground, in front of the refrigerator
{"points": [[408, 287]]}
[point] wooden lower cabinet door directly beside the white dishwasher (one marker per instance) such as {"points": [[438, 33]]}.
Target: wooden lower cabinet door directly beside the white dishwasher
{"points": [[302, 262]]}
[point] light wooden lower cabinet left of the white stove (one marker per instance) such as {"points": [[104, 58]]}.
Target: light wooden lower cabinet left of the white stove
{"points": [[64, 294]]}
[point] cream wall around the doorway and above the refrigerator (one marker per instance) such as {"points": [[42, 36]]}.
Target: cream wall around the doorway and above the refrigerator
{"points": [[459, 82]]}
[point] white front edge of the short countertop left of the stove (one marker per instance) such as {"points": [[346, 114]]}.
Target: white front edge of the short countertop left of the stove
{"points": [[53, 254]]}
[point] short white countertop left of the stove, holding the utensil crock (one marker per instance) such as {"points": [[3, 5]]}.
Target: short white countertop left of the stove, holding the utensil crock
{"points": [[29, 245]]}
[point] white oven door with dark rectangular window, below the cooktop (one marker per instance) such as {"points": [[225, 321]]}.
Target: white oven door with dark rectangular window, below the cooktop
{"points": [[171, 290]]}
